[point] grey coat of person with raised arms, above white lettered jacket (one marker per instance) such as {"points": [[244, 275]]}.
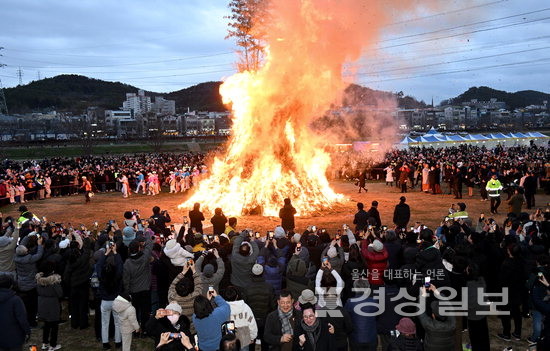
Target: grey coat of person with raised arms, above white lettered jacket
{"points": [[241, 266]]}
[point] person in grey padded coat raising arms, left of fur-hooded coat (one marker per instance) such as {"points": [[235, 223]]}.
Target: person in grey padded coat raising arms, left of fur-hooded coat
{"points": [[25, 266]]}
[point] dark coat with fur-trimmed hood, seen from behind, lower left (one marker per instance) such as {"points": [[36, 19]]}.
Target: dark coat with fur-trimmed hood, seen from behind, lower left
{"points": [[49, 292]]}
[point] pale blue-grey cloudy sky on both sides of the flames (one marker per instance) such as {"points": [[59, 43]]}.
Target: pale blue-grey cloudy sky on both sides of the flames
{"points": [[167, 45]]}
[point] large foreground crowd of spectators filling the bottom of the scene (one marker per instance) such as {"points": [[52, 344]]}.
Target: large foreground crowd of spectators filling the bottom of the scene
{"points": [[373, 285]]}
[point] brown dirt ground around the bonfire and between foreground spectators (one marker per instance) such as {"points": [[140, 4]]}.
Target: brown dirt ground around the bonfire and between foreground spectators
{"points": [[428, 209]]}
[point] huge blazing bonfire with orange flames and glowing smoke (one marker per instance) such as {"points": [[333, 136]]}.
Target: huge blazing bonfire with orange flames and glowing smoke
{"points": [[273, 153]]}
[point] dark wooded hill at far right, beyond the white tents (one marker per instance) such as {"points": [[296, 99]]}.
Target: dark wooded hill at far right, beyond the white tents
{"points": [[513, 100]]}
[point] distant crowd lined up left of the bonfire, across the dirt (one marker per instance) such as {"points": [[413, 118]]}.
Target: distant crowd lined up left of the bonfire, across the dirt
{"points": [[145, 173]]}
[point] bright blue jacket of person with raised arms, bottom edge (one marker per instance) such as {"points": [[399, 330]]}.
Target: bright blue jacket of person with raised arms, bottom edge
{"points": [[208, 328]]}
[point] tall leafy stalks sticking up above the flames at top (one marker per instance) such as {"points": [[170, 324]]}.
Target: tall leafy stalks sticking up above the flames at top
{"points": [[244, 26]]}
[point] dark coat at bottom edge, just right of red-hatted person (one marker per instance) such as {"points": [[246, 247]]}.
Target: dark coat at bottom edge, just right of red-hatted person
{"points": [[440, 336]]}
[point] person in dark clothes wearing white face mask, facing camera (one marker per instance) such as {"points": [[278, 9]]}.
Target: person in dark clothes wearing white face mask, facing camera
{"points": [[169, 320]]}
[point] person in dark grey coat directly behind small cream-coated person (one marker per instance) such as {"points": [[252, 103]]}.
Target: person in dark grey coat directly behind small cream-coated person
{"points": [[137, 277]]}
